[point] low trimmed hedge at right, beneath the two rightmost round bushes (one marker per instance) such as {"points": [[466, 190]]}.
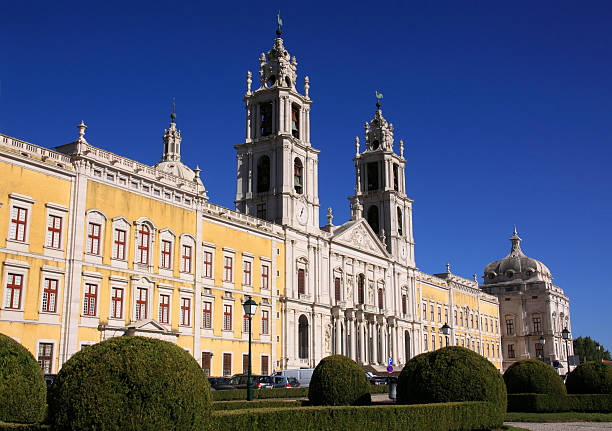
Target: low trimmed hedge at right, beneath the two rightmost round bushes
{"points": [[542, 403]]}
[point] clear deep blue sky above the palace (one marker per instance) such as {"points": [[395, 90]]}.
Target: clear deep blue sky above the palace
{"points": [[505, 109]]}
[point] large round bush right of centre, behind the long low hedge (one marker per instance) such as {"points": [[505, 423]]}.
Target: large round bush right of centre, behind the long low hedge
{"points": [[452, 374]]}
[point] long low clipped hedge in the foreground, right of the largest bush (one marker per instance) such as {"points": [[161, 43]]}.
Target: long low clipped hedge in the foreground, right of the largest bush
{"points": [[424, 417]]}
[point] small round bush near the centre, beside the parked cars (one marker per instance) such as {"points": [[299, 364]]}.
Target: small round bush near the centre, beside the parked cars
{"points": [[338, 381]]}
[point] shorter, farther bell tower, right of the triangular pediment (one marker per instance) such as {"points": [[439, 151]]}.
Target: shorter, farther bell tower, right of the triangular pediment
{"points": [[380, 188]]}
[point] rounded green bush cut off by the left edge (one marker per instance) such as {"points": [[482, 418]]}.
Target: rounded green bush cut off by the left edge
{"points": [[23, 391]]}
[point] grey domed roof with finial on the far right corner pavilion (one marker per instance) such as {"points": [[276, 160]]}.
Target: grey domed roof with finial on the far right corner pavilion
{"points": [[516, 266]]}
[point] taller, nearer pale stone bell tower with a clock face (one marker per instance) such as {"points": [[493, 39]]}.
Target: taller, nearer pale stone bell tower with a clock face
{"points": [[277, 173]]}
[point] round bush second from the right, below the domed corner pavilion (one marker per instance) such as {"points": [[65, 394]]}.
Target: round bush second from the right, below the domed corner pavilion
{"points": [[530, 376]]}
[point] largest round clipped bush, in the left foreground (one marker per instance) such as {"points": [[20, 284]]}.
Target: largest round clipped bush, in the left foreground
{"points": [[130, 383]]}
